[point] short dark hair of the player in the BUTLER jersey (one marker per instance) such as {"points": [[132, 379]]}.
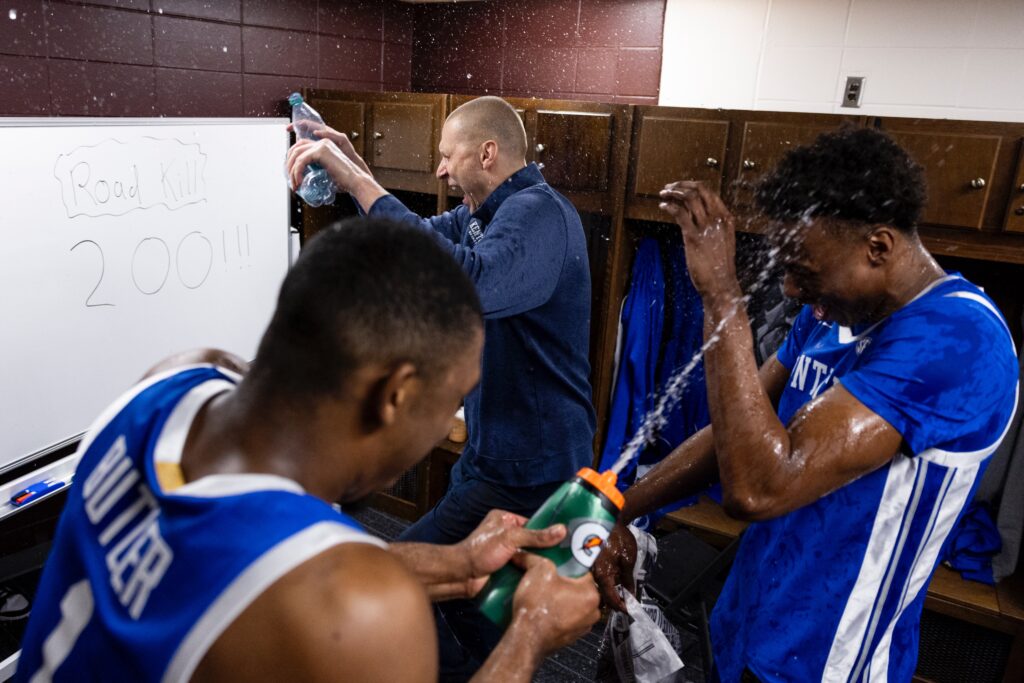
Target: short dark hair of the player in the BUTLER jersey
{"points": [[366, 291]]}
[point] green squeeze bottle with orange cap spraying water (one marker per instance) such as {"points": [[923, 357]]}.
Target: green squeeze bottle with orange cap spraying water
{"points": [[588, 505]]}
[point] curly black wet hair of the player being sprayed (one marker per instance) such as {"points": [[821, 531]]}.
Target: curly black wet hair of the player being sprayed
{"points": [[852, 175]]}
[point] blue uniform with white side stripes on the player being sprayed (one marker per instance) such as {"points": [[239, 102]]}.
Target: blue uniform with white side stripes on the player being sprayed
{"points": [[834, 591]]}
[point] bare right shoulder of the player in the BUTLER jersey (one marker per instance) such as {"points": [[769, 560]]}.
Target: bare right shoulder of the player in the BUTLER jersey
{"points": [[349, 605]]}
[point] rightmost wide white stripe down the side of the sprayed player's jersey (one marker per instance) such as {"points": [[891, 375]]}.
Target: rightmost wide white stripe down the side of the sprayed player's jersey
{"points": [[950, 507]]}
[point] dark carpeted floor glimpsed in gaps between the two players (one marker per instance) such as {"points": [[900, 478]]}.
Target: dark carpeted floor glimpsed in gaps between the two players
{"points": [[576, 664]]}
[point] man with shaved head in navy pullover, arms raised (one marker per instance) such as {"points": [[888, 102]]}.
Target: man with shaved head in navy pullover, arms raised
{"points": [[531, 420]]}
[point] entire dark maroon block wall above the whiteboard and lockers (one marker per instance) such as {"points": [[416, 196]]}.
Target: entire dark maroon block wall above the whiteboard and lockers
{"points": [[230, 58]]}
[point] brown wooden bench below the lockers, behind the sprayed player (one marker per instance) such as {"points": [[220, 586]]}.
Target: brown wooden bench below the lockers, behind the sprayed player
{"points": [[1000, 609]]}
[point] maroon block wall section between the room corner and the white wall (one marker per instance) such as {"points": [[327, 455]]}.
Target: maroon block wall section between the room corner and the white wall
{"points": [[607, 51]]}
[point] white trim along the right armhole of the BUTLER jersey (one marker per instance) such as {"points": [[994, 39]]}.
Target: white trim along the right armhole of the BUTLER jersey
{"points": [[274, 565]]}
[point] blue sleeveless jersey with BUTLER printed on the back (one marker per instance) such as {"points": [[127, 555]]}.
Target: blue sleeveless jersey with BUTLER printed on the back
{"points": [[143, 581]]}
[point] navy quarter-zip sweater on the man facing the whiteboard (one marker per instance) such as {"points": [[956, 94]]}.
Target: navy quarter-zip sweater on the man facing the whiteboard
{"points": [[531, 420]]}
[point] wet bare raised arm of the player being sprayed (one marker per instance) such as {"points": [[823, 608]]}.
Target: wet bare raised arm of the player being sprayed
{"points": [[767, 468]]}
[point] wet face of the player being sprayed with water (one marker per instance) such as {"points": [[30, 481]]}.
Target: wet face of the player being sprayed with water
{"points": [[829, 268]]}
